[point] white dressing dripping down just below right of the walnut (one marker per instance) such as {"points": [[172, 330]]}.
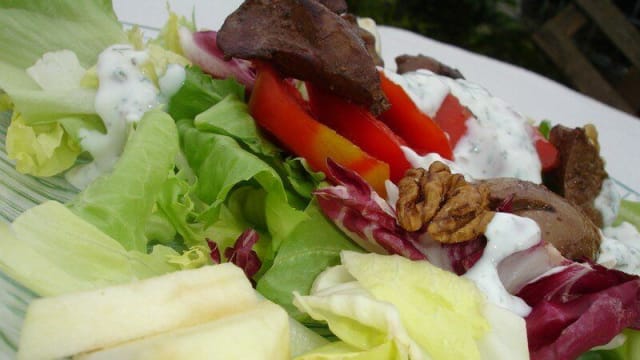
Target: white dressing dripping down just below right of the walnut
{"points": [[506, 234]]}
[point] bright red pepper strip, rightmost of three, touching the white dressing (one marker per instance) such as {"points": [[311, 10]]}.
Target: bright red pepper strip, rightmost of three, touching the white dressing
{"points": [[415, 127]]}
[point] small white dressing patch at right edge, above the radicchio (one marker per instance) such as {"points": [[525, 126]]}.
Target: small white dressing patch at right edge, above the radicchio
{"points": [[620, 248]]}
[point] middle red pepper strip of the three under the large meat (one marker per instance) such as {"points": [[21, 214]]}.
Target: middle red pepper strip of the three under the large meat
{"points": [[359, 126]]}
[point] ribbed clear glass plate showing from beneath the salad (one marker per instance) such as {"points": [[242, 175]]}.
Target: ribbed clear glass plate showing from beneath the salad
{"points": [[19, 192]]}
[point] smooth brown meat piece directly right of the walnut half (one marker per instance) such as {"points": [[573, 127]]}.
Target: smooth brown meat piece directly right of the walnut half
{"points": [[562, 224]]}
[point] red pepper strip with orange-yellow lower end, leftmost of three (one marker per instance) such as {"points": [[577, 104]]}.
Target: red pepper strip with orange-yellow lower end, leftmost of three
{"points": [[275, 107]]}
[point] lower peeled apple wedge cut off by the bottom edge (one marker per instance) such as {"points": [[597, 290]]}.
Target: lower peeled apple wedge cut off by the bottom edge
{"points": [[261, 332]]}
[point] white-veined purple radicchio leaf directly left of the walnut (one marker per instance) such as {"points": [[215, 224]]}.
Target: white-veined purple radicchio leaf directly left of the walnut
{"points": [[363, 215]]}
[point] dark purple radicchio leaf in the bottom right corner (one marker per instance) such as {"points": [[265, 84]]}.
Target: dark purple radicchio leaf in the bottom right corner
{"points": [[579, 307]]}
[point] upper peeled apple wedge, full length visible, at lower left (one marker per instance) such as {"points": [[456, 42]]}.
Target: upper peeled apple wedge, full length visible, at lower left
{"points": [[75, 323]]}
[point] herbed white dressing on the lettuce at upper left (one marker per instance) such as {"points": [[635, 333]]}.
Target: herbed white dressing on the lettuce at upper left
{"points": [[124, 95]]}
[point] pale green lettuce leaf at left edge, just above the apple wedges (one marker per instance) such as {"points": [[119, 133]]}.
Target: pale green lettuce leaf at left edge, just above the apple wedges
{"points": [[52, 251]]}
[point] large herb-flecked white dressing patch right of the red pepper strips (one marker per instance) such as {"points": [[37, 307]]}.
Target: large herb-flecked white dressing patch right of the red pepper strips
{"points": [[498, 142]]}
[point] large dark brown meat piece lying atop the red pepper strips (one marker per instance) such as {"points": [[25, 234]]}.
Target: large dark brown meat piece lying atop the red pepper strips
{"points": [[305, 40]]}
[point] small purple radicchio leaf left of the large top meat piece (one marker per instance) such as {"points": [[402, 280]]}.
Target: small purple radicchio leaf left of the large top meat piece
{"points": [[201, 49]]}
